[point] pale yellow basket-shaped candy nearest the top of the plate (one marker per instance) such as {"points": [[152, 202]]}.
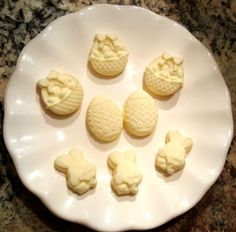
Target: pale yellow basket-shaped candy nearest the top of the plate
{"points": [[108, 55]]}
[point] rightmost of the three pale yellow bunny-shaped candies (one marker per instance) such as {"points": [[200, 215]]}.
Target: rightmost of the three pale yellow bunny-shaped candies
{"points": [[171, 157]]}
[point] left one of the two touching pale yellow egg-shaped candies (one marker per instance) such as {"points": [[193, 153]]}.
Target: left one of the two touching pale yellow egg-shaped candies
{"points": [[104, 119]]}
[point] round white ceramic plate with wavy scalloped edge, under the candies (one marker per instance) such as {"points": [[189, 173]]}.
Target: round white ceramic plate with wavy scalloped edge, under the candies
{"points": [[201, 110]]}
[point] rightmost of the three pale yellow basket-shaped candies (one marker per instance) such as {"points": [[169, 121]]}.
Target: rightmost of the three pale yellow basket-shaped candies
{"points": [[164, 76]]}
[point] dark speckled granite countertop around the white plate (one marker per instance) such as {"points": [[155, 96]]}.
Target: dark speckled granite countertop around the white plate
{"points": [[212, 22]]}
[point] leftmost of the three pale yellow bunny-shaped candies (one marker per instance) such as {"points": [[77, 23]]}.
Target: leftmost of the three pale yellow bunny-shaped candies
{"points": [[80, 174]]}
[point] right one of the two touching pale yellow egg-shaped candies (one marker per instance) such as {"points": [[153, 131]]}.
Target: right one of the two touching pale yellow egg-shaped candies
{"points": [[140, 114]]}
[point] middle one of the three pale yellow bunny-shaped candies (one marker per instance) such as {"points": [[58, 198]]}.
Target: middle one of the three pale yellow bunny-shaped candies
{"points": [[126, 176]]}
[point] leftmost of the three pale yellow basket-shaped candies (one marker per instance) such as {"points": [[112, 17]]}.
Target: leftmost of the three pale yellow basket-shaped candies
{"points": [[61, 93]]}
